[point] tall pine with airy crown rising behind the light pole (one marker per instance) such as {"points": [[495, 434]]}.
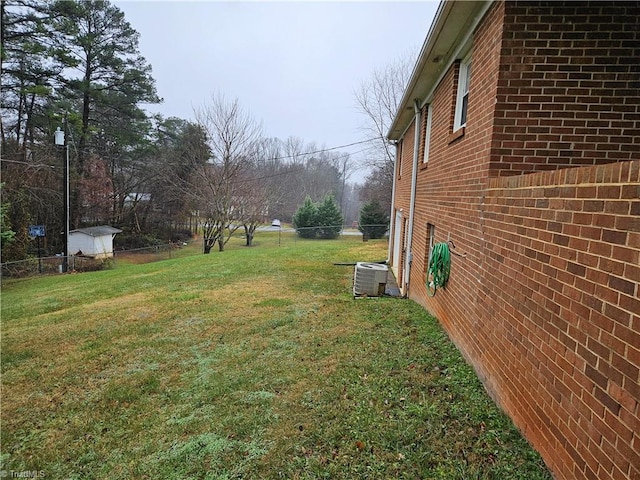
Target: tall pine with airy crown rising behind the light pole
{"points": [[107, 77]]}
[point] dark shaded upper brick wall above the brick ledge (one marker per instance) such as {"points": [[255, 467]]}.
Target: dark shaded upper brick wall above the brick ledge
{"points": [[569, 88]]}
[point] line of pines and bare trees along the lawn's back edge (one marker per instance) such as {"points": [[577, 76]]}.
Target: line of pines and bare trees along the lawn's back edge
{"points": [[76, 66]]}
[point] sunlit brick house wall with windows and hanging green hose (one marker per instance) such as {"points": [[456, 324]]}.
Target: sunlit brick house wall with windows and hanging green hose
{"points": [[450, 188]]}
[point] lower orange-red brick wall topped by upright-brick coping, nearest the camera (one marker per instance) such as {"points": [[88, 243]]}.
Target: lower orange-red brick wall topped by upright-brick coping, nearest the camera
{"points": [[560, 302]]}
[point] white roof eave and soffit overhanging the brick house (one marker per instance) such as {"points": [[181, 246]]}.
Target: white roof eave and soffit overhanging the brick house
{"points": [[452, 23]]}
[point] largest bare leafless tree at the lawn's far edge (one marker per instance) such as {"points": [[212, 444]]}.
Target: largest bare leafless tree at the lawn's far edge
{"points": [[233, 137]]}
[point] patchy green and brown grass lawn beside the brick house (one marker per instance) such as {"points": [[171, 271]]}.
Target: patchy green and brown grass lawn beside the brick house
{"points": [[250, 363]]}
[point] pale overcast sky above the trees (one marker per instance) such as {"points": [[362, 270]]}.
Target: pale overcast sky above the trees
{"points": [[293, 65]]}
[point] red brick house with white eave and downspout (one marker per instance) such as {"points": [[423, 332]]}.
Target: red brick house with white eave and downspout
{"points": [[518, 140]]}
